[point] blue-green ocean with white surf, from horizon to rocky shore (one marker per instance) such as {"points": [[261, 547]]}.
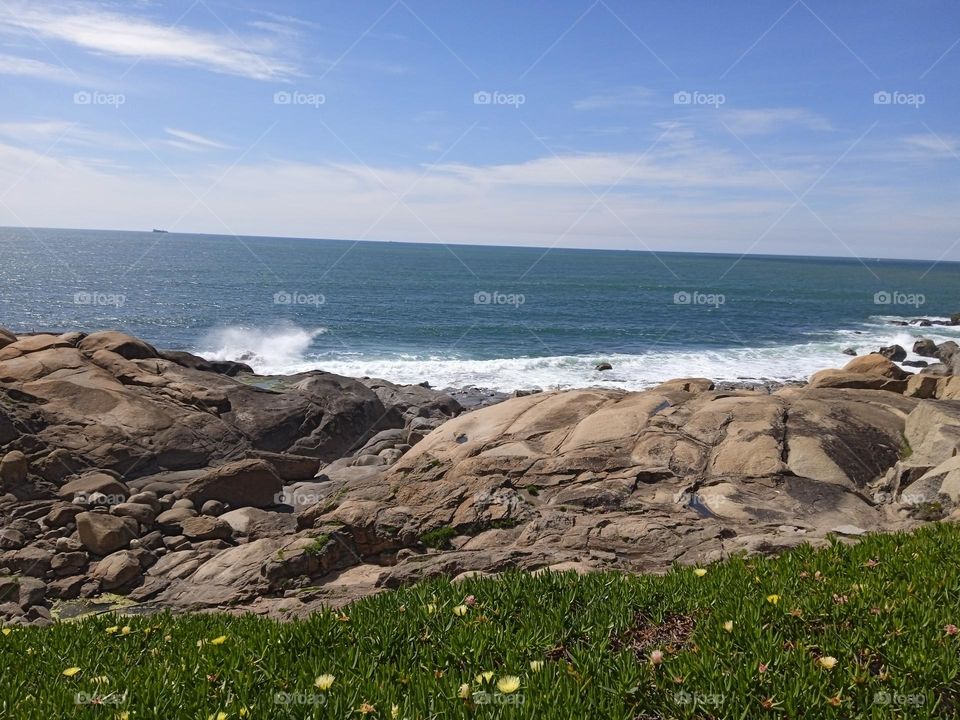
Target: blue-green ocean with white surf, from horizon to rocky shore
{"points": [[497, 317]]}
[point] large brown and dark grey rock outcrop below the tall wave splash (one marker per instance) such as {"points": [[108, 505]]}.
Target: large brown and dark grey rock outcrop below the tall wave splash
{"points": [[109, 401]]}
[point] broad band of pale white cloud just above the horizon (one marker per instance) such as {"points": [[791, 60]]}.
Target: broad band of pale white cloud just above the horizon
{"points": [[680, 197]]}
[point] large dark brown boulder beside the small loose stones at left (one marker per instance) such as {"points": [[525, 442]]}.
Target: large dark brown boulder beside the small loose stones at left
{"points": [[245, 483]]}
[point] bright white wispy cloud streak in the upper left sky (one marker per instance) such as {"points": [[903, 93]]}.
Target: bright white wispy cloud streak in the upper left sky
{"points": [[95, 28]]}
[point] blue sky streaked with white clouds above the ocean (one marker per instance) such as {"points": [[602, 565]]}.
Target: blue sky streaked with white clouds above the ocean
{"points": [[805, 127]]}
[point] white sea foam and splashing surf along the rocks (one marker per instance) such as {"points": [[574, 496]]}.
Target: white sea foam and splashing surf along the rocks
{"points": [[290, 349]]}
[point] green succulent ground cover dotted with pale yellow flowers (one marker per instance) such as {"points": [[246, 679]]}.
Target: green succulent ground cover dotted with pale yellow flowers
{"points": [[862, 631]]}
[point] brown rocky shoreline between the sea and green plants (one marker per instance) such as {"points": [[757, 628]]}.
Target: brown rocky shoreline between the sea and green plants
{"points": [[158, 479]]}
